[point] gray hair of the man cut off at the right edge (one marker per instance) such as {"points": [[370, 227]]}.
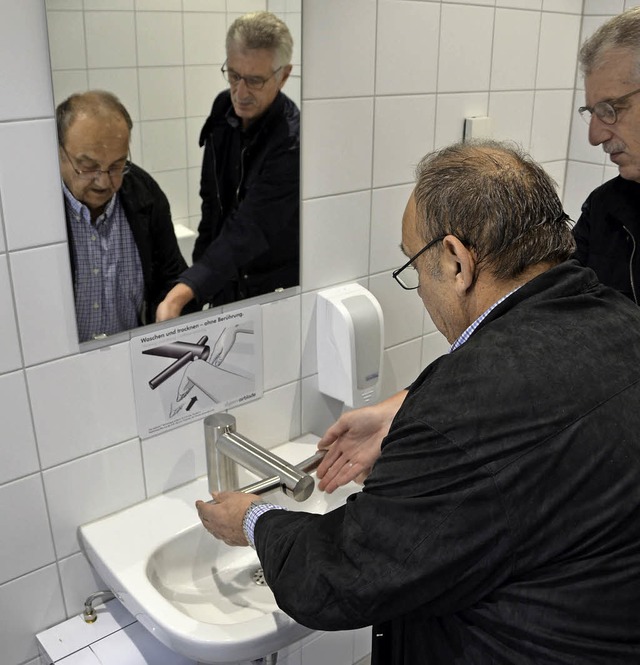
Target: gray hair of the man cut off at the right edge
{"points": [[620, 32]]}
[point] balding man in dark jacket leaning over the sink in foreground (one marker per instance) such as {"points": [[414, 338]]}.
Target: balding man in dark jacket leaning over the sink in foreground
{"points": [[501, 521]]}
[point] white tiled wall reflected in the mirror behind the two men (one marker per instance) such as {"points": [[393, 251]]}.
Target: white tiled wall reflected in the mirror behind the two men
{"points": [[162, 58]]}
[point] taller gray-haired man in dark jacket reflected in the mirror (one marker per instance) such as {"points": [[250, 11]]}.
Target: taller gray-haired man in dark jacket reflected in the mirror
{"points": [[248, 236]]}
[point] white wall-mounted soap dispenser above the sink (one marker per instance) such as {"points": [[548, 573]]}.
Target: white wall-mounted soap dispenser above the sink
{"points": [[350, 331]]}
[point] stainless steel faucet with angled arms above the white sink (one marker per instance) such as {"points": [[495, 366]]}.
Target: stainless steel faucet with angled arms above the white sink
{"points": [[225, 449]]}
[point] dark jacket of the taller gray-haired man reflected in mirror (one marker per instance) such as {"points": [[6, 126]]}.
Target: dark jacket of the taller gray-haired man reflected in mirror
{"points": [[248, 240]]}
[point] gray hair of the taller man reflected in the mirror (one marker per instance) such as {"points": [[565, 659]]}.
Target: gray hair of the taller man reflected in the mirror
{"points": [[262, 30]]}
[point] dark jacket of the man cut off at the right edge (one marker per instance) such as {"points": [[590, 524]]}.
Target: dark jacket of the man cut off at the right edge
{"points": [[608, 235]]}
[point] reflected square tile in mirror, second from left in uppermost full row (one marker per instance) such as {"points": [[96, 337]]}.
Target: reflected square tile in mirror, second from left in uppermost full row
{"points": [[111, 38]]}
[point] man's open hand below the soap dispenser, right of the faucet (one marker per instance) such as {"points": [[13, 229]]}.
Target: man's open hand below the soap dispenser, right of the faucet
{"points": [[353, 443]]}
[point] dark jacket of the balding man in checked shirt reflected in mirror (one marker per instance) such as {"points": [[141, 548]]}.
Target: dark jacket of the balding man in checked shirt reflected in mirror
{"points": [[149, 216]]}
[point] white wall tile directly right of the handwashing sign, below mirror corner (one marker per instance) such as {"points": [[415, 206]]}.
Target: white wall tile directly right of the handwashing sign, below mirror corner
{"points": [[281, 342]]}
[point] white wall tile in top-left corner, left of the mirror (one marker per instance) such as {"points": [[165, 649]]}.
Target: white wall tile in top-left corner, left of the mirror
{"points": [[24, 70]]}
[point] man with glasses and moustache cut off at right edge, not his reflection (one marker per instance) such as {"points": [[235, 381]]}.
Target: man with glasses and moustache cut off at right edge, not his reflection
{"points": [[608, 231]]}
